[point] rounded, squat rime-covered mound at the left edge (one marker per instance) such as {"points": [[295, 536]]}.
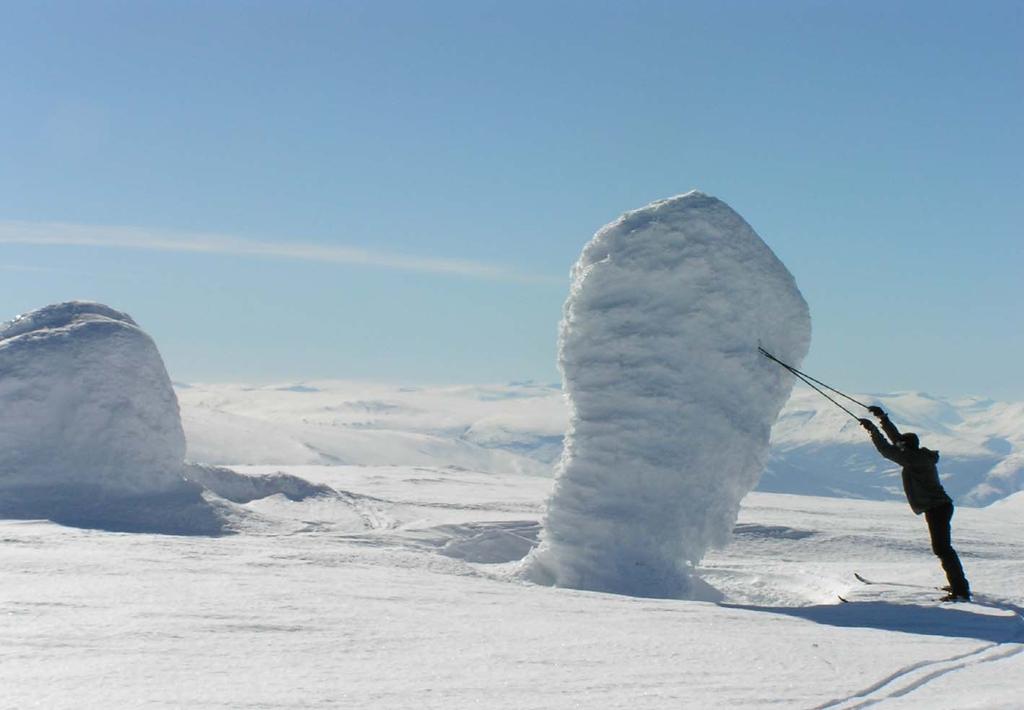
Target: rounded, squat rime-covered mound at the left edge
{"points": [[90, 427]]}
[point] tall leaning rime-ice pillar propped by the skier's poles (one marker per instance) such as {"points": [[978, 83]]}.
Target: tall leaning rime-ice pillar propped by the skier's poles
{"points": [[671, 404]]}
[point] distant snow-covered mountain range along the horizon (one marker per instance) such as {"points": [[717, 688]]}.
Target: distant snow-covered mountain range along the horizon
{"points": [[817, 448]]}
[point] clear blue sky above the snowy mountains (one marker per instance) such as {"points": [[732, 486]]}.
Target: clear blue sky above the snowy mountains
{"points": [[282, 191]]}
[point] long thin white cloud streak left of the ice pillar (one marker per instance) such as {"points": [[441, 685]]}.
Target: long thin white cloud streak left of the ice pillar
{"points": [[61, 234]]}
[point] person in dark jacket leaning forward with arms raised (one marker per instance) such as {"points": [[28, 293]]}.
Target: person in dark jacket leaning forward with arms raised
{"points": [[924, 493]]}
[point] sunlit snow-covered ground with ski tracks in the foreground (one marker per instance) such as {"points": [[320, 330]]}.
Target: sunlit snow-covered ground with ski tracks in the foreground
{"points": [[398, 591]]}
